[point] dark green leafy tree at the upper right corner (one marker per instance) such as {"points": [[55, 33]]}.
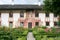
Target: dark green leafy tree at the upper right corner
{"points": [[52, 6]]}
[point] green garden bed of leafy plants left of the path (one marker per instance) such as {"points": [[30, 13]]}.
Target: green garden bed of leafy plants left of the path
{"points": [[13, 33]]}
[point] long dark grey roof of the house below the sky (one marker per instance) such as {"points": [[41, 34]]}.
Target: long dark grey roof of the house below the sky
{"points": [[18, 7]]}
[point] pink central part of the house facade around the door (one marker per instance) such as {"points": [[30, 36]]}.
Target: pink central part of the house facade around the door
{"points": [[30, 20]]}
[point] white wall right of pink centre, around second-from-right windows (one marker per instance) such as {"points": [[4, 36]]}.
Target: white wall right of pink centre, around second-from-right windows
{"points": [[50, 19]]}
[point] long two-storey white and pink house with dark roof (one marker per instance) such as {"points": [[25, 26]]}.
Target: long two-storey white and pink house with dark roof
{"points": [[27, 16]]}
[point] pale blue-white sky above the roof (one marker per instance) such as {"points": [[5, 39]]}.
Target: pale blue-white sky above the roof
{"points": [[20, 2]]}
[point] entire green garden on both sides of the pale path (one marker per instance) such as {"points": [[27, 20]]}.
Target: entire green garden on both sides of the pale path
{"points": [[20, 33]]}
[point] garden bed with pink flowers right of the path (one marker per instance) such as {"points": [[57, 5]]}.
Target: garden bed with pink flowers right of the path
{"points": [[44, 33]]}
